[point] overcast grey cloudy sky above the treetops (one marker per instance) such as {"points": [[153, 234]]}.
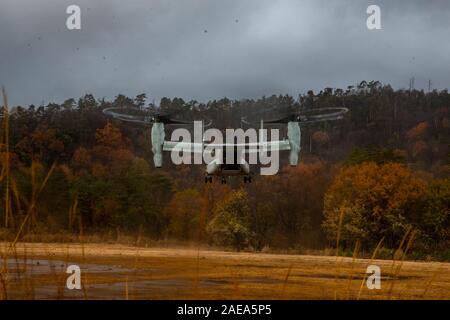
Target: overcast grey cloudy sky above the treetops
{"points": [[203, 49]]}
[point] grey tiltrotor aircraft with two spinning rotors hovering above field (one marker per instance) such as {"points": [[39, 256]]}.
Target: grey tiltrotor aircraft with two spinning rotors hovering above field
{"points": [[227, 164]]}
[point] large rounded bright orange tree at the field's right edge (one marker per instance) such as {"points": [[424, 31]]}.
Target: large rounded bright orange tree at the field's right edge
{"points": [[376, 201]]}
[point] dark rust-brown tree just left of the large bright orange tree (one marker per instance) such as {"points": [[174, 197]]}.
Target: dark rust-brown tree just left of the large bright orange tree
{"points": [[284, 210]]}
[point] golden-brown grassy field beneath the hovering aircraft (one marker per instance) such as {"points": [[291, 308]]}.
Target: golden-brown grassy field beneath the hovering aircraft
{"points": [[110, 271]]}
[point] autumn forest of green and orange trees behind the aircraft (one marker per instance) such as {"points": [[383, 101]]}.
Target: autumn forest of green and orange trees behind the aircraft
{"points": [[380, 174]]}
